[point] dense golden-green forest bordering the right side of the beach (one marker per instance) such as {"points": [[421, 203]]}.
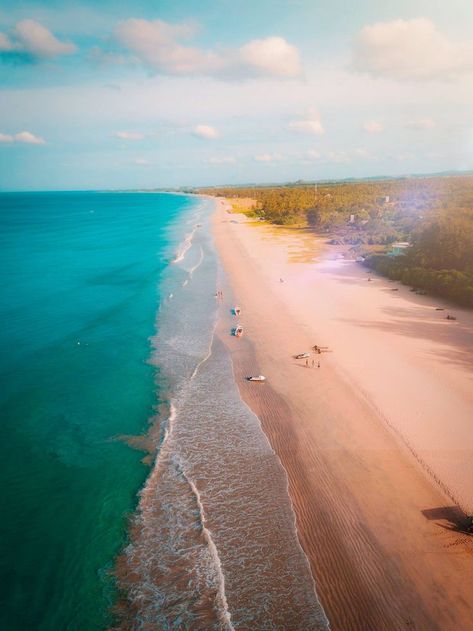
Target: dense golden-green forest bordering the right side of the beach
{"points": [[433, 214]]}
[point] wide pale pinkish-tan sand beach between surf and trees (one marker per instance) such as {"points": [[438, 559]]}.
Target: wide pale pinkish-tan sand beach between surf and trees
{"points": [[399, 381]]}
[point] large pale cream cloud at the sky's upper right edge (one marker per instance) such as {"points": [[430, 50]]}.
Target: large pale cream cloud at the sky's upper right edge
{"points": [[410, 50]]}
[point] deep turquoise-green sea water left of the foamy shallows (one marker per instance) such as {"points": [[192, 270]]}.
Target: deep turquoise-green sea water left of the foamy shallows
{"points": [[80, 286]]}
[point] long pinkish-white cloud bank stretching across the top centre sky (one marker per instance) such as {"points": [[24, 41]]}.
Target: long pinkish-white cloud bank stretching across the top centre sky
{"points": [[158, 44]]}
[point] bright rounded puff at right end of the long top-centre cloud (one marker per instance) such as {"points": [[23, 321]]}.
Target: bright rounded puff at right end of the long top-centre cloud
{"points": [[272, 56]]}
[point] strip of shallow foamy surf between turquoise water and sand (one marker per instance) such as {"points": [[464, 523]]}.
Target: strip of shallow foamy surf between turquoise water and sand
{"points": [[213, 543]]}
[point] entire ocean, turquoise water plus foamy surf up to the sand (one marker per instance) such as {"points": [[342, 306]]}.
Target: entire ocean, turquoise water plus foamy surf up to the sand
{"points": [[108, 336]]}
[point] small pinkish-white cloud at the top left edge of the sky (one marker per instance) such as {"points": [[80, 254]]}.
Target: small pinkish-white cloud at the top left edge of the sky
{"points": [[32, 38]]}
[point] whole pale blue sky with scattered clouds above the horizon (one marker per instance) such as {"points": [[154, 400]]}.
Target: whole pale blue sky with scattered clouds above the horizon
{"points": [[143, 94]]}
